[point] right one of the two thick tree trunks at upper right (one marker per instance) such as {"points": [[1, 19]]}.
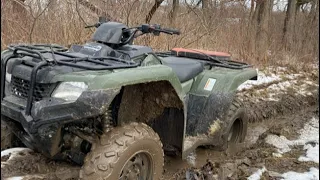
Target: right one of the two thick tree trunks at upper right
{"points": [[289, 23]]}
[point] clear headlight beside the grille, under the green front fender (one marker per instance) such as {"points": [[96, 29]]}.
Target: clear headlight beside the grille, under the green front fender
{"points": [[69, 91]]}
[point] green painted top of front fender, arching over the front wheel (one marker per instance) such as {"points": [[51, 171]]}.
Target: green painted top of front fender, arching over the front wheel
{"points": [[98, 80]]}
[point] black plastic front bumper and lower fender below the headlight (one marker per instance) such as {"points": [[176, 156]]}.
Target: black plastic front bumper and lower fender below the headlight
{"points": [[55, 110]]}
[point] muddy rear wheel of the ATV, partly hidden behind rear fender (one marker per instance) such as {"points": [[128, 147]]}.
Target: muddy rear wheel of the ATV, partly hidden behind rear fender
{"points": [[236, 126]]}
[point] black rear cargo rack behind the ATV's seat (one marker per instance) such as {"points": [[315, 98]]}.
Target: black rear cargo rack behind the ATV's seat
{"points": [[212, 61]]}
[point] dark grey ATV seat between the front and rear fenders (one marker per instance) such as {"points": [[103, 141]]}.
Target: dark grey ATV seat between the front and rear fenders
{"points": [[184, 68]]}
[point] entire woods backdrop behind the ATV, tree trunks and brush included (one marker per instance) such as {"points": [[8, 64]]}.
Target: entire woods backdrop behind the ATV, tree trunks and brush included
{"points": [[262, 32]]}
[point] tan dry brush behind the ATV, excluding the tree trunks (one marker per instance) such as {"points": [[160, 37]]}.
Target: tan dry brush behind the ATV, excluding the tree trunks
{"points": [[64, 24]]}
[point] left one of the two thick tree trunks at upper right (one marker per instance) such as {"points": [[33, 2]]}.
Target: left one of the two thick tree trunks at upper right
{"points": [[261, 19]]}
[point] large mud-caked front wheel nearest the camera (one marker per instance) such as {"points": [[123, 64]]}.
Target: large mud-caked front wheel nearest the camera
{"points": [[131, 150]]}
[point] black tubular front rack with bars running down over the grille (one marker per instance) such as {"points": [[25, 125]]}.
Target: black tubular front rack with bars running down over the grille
{"points": [[36, 51]]}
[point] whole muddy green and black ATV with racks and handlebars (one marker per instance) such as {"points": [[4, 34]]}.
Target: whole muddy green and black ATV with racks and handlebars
{"points": [[114, 108]]}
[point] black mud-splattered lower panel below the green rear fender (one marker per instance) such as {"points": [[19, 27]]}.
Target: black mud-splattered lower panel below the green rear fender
{"points": [[205, 120]]}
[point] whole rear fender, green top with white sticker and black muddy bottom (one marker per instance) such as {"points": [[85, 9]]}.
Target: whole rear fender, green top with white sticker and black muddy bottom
{"points": [[208, 101]]}
